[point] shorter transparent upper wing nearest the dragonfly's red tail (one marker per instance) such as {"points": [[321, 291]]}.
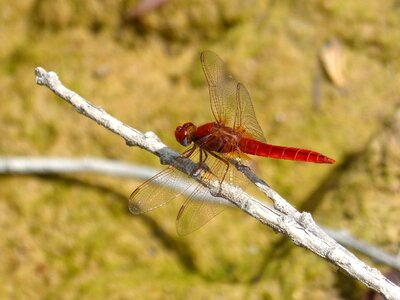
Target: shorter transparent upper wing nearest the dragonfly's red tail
{"points": [[246, 116]]}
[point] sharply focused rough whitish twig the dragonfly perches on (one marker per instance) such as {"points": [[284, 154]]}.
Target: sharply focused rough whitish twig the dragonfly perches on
{"points": [[300, 227]]}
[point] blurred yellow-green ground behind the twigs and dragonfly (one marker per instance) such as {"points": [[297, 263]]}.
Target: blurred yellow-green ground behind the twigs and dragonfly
{"points": [[322, 75]]}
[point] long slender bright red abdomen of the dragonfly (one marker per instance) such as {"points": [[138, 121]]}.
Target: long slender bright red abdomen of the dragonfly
{"points": [[255, 147]]}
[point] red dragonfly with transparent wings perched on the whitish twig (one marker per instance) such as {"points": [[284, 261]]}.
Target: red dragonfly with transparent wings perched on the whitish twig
{"points": [[234, 133]]}
